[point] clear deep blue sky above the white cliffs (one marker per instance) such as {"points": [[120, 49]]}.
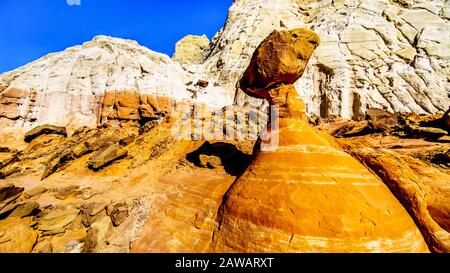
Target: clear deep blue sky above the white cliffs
{"points": [[33, 28]]}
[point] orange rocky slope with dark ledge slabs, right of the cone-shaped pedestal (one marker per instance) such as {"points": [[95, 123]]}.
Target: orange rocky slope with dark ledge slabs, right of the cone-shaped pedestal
{"points": [[388, 141]]}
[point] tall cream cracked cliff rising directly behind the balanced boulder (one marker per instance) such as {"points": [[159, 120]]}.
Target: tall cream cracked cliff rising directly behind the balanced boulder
{"points": [[374, 54]]}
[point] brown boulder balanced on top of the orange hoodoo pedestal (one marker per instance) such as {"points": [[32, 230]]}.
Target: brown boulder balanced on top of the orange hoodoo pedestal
{"points": [[280, 59]]}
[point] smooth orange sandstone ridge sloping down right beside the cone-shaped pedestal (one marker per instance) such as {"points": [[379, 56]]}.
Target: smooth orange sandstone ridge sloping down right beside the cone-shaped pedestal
{"points": [[422, 190]]}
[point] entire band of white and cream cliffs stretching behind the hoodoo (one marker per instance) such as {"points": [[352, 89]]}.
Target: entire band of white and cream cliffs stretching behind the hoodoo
{"points": [[391, 54]]}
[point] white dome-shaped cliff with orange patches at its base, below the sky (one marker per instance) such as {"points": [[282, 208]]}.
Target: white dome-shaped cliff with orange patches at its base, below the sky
{"points": [[73, 87]]}
